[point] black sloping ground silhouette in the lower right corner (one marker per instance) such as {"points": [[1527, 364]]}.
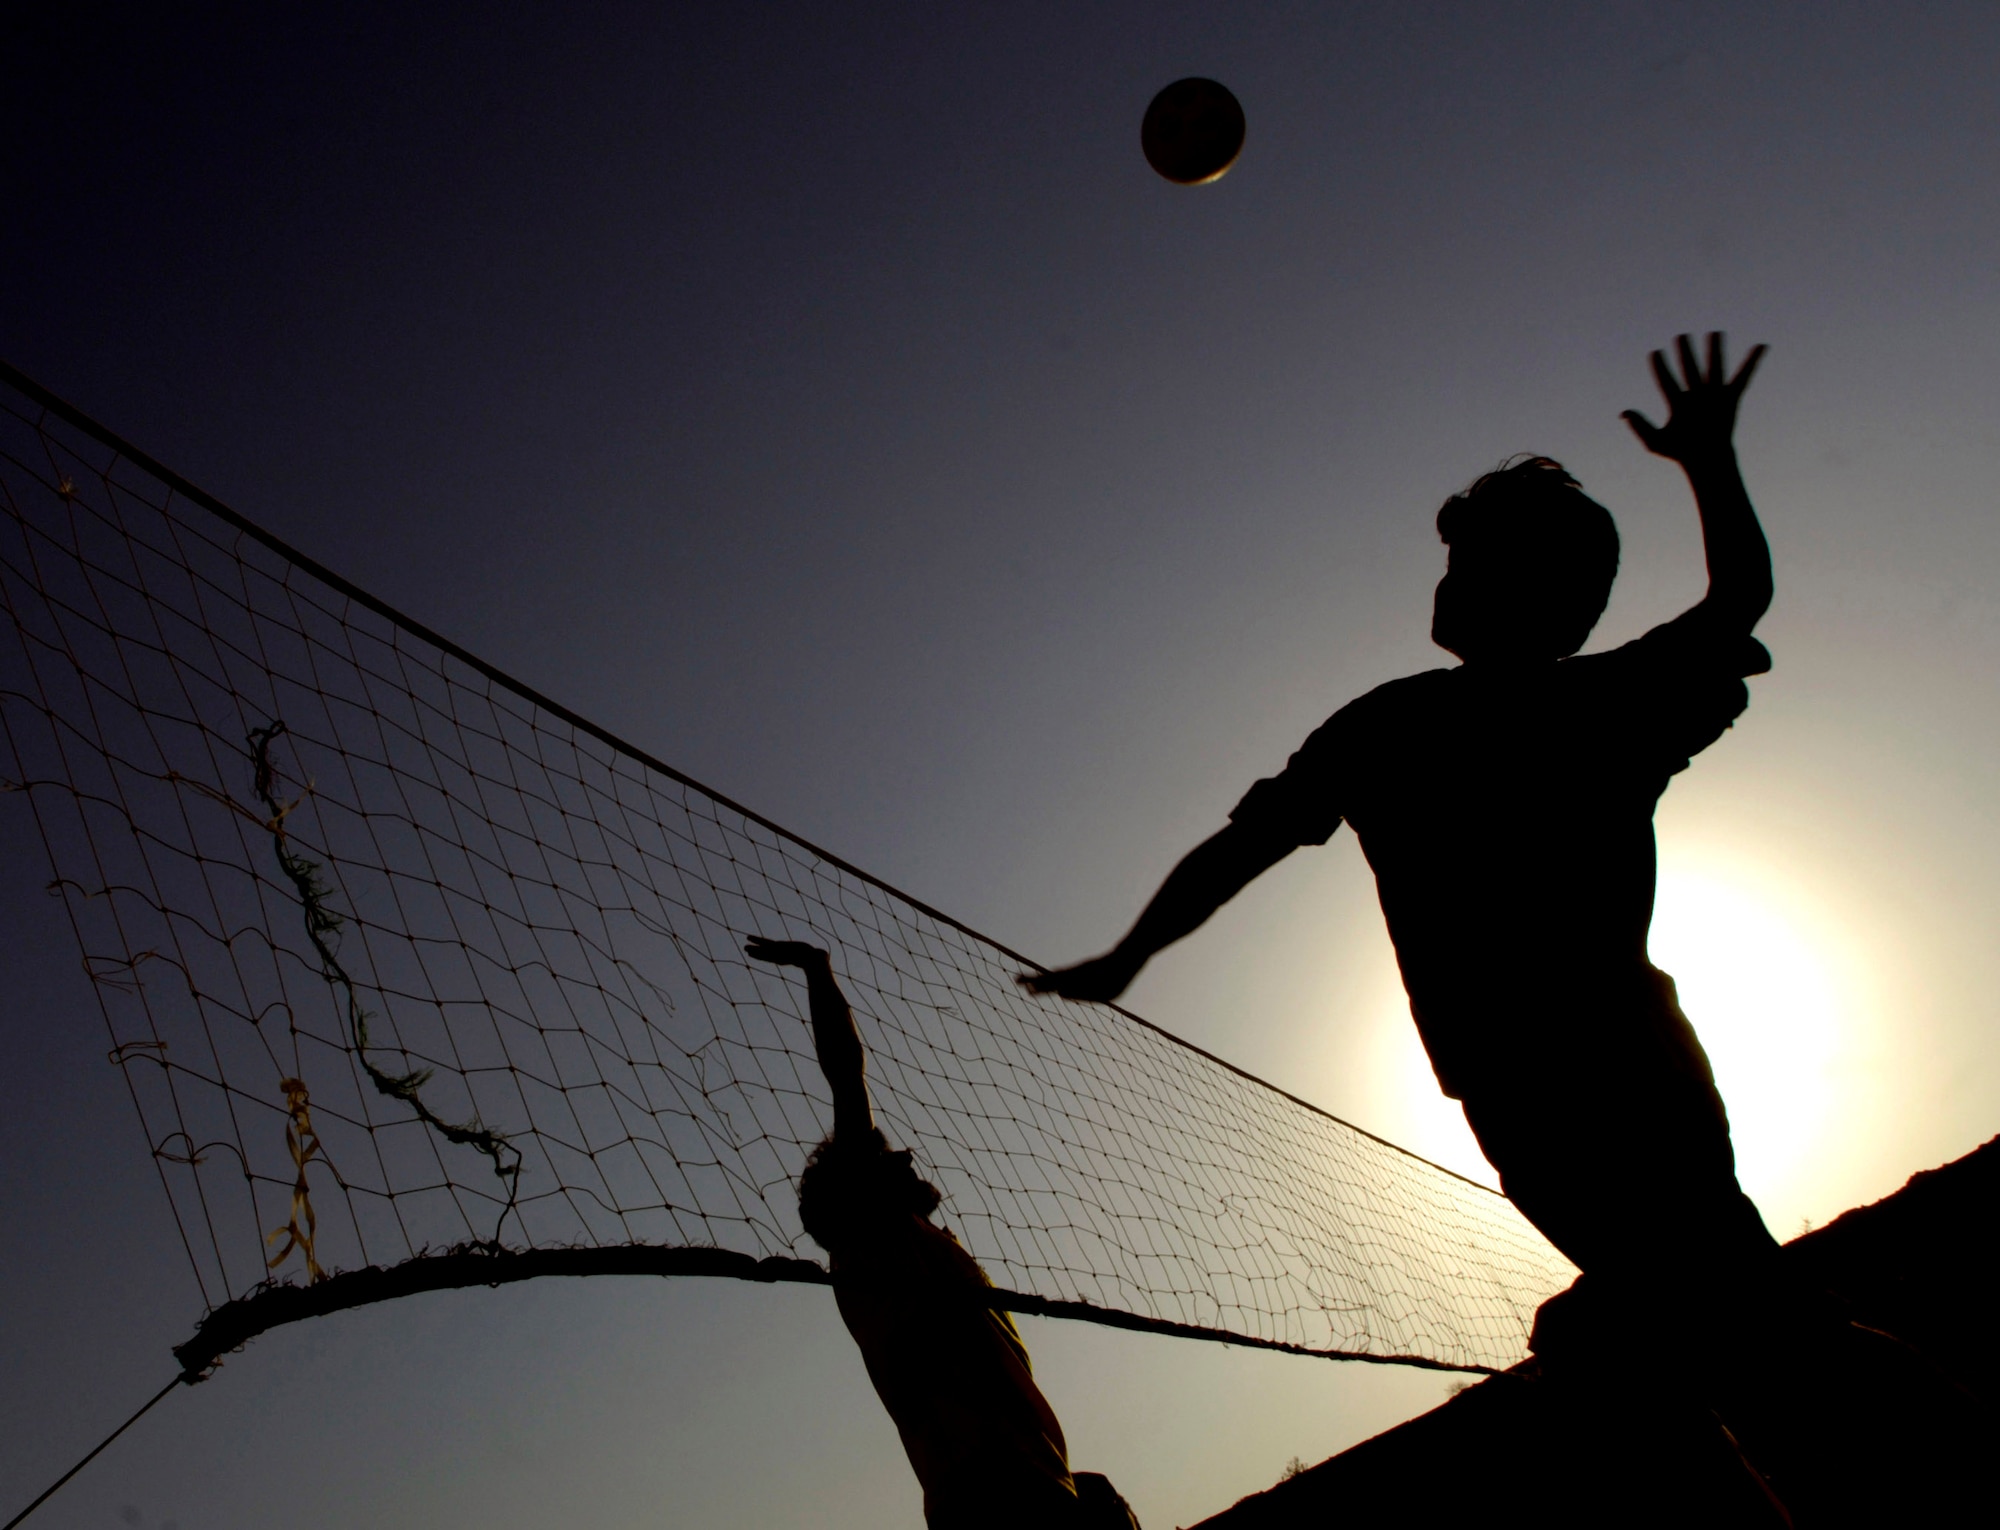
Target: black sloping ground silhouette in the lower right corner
{"points": [[1627, 1453]]}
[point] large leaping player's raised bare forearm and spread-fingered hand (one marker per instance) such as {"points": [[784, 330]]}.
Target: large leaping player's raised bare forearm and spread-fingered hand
{"points": [[1699, 435]]}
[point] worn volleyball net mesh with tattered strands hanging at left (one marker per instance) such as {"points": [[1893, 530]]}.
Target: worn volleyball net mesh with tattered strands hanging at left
{"points": [[399, 957]]}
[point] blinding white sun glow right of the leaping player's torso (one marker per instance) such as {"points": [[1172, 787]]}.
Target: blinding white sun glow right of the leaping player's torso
{"points": [[1773, 1015]]}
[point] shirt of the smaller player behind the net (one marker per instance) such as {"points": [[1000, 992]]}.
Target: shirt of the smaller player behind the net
{"points": [[953, 1373]]}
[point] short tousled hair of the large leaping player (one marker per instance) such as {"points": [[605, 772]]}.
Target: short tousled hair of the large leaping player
{"points": [[1531, 519]]}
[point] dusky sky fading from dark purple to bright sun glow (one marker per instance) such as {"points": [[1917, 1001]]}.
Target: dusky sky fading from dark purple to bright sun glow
{"points": [[833, 403]]}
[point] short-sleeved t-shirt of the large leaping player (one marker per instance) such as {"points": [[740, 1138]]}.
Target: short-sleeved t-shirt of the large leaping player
{"points": [[1507, 815]]}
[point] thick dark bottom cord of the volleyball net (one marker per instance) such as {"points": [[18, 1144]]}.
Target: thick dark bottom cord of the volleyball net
{"points": [[237, 1323]]}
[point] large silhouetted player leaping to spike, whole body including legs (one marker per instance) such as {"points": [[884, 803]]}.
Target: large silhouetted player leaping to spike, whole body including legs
{"points": [[1507, 813]]}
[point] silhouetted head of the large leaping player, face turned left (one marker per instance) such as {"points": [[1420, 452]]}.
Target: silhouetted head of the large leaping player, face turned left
{"points": [[1531, 565]]}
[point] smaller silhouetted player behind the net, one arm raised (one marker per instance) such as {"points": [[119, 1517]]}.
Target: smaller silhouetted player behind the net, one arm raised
{"points": [[951, 1369]]}
